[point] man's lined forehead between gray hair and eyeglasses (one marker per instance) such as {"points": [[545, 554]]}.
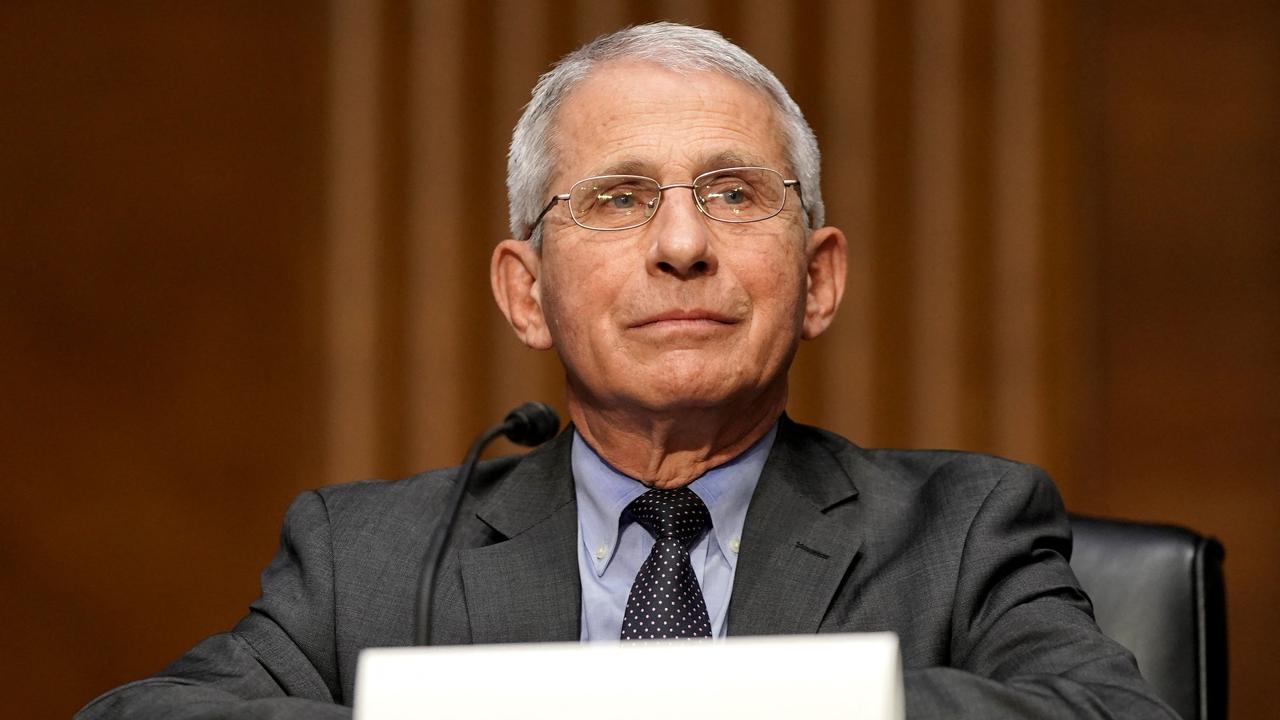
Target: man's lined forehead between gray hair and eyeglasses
{"points": [[634, 117]]}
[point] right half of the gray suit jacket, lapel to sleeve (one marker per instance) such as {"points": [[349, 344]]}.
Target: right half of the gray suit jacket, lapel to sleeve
{"points": [[963, 555]]}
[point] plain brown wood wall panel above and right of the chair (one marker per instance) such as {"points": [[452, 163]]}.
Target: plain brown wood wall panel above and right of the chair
{"points": [[1188, 316]]}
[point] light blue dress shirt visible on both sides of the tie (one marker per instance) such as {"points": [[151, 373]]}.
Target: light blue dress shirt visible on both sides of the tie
{"points": [[610, 554]]}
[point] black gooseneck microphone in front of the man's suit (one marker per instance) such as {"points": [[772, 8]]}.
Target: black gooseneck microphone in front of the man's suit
{"points": [[531, 425]]}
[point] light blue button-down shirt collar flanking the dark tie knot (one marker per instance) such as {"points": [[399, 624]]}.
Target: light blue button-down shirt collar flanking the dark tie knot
{"points": [[604, 494]]}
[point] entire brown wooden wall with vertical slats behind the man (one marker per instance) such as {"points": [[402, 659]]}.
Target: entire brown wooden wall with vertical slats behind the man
{"points": [[244, 252]]}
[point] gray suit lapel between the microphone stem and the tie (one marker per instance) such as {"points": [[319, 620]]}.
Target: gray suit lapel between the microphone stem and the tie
{"points": [[528, 589]]}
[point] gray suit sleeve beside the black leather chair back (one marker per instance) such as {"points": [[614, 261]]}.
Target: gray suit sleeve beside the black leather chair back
{"points": [[1025, 642]]}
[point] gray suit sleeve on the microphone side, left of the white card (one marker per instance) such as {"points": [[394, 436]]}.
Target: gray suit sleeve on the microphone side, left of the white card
{"points": [[280, 662]]}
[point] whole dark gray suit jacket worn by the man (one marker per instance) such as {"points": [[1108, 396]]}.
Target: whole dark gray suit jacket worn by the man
{"points": [[964, 557]]}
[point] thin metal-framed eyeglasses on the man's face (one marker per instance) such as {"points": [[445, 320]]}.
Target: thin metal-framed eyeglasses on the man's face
{"points": [[621, 203]]}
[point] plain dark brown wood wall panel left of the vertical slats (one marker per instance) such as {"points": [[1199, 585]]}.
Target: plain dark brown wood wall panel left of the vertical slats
{"points": [[162, 327]]}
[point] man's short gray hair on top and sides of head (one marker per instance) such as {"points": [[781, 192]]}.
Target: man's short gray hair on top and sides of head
{"points": [[532, 160]]}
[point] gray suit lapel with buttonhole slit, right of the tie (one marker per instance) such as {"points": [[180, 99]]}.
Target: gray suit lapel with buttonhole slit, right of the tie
{"points": [[799, 539]]}
